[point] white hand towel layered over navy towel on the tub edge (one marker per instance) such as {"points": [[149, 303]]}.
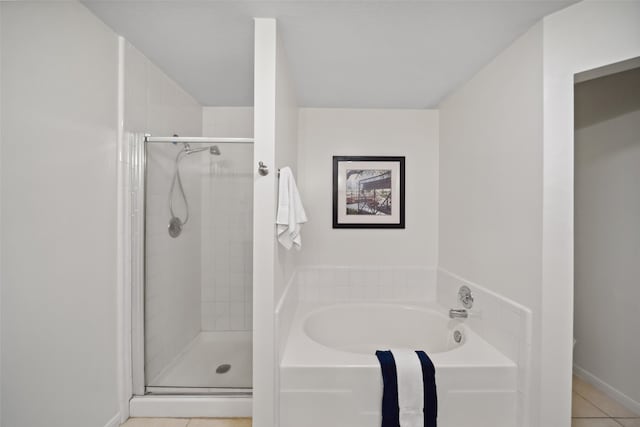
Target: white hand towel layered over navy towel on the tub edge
{"points": [[410, 388]]}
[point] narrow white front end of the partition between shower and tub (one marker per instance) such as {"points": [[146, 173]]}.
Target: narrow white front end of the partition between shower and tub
{"points": [[264, 218]]}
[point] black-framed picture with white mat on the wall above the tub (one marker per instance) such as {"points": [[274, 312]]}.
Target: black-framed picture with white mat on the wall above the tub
{"points": [[368, 192]]}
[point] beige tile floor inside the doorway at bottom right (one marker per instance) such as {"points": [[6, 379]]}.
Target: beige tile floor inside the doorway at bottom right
{"points": [[592, 408]]}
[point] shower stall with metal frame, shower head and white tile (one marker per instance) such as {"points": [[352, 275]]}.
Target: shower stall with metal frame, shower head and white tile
{"points": [[193, 286]]}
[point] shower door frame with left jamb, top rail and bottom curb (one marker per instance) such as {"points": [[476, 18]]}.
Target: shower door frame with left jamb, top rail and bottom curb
{"points": [[167, 401]]}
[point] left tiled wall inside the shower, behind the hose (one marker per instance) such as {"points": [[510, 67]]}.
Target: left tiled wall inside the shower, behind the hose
{"points": [[172, 317]]}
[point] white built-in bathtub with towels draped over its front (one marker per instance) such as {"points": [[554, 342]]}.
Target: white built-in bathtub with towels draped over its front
{"points": [[330, 376]]}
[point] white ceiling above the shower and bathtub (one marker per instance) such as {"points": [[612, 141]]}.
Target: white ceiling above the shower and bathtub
{"points": [[367, 54]]}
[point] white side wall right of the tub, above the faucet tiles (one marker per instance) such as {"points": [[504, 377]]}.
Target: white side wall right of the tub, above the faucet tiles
{"points": [[491, 178]]}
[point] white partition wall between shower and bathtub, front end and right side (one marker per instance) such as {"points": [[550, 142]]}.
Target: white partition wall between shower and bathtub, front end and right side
{"points": [[275, 133]]}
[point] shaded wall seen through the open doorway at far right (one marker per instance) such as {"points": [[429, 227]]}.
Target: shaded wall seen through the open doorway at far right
{"points": [[607, 235]]}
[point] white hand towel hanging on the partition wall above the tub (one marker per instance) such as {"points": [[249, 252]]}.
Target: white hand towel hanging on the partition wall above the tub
{"points": [[291, 214]]}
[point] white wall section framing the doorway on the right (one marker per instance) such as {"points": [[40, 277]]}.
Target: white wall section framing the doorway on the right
{"points": [[581, 37]]}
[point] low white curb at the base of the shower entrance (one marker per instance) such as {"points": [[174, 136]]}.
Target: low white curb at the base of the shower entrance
{"points": [[190, 406]]}
